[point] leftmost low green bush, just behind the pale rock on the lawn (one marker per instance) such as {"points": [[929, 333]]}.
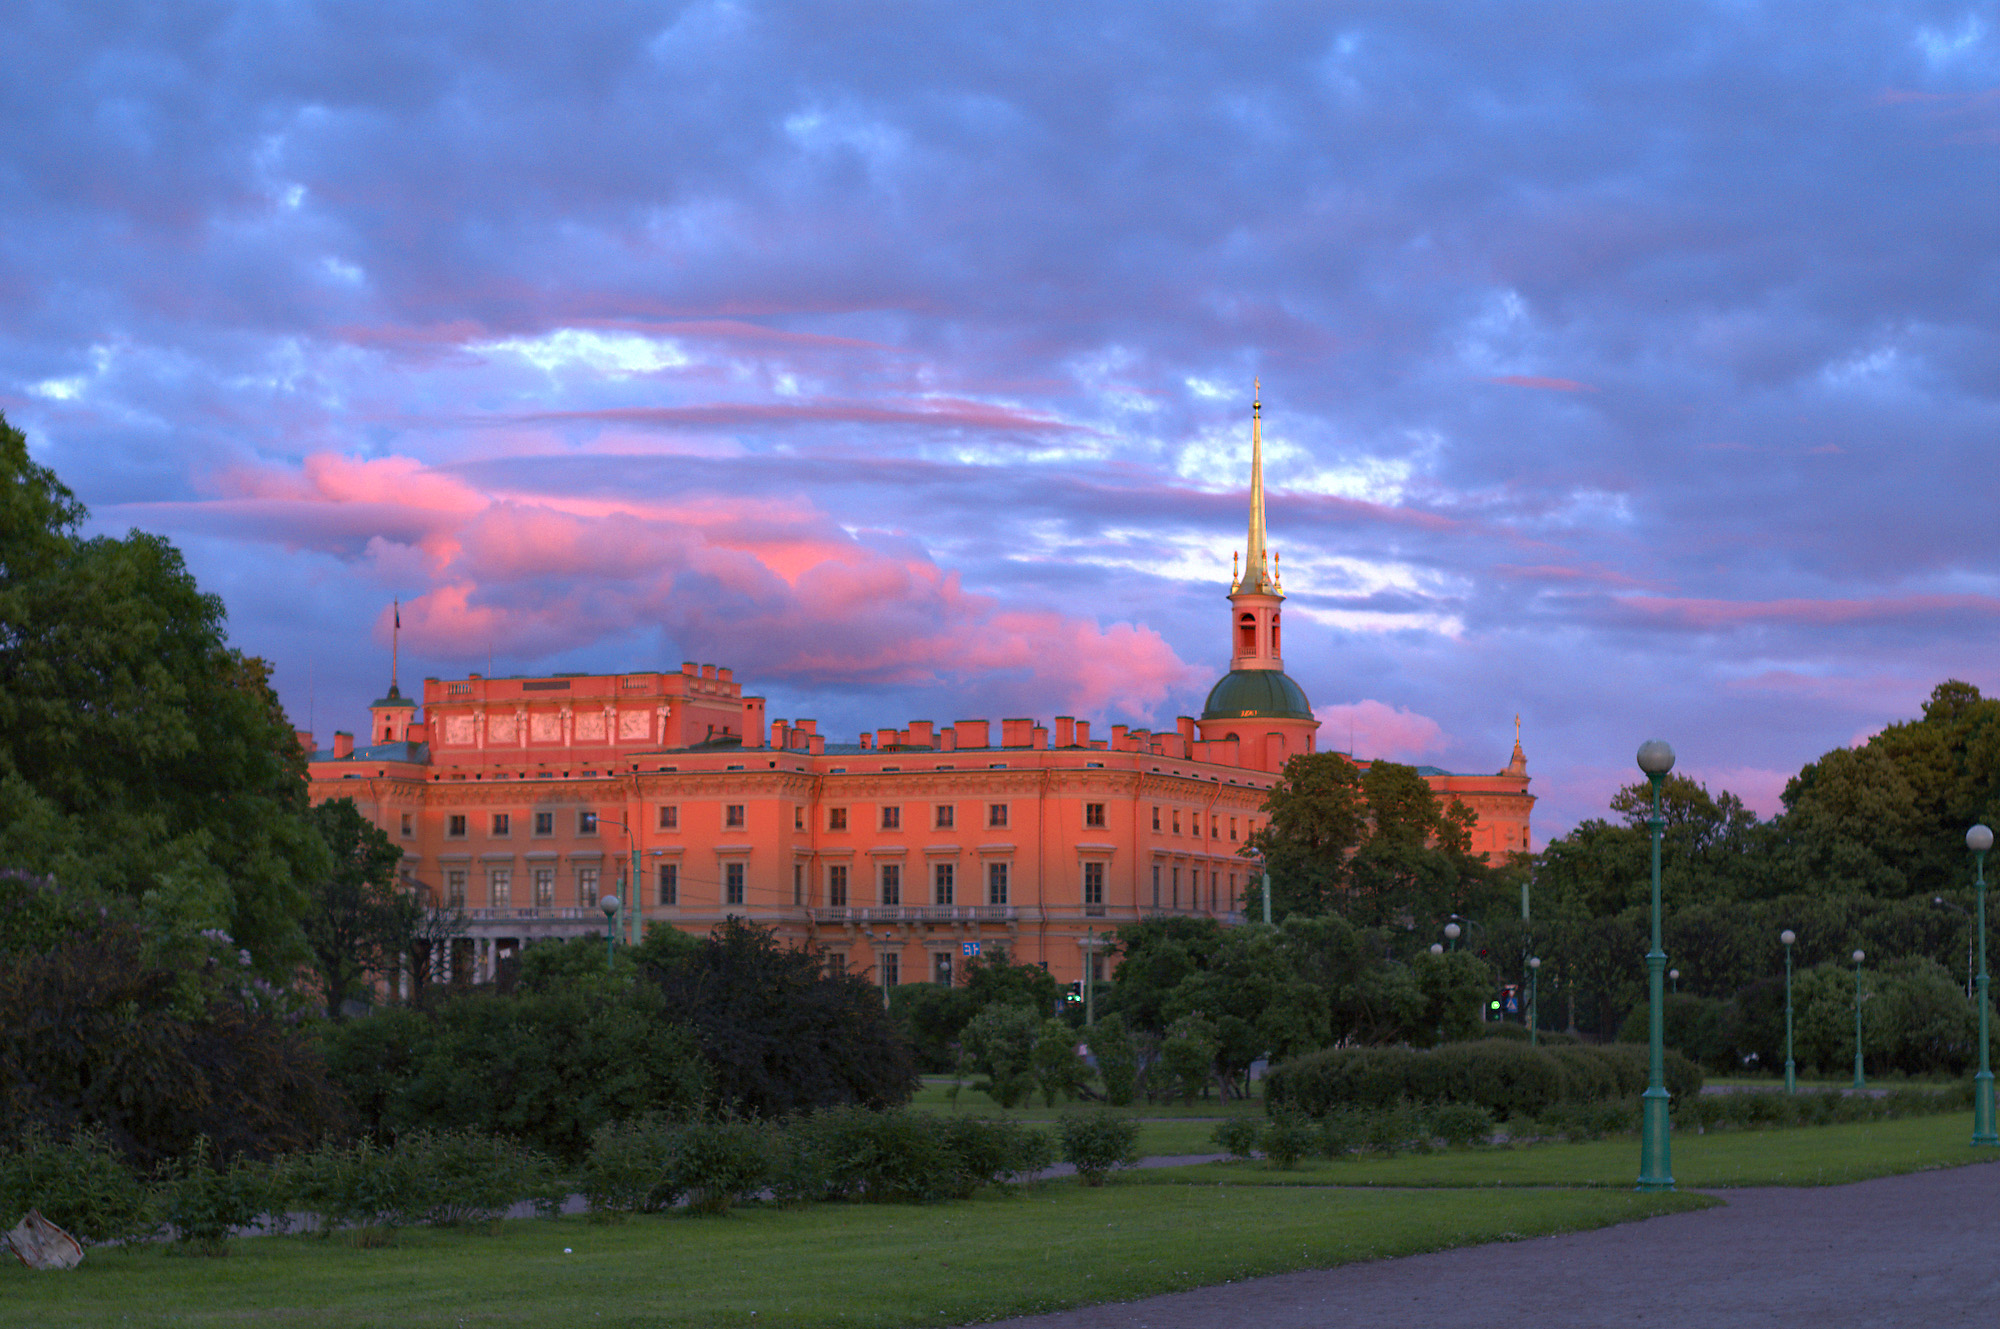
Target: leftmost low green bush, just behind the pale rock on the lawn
{"points": [[81, 1186]]}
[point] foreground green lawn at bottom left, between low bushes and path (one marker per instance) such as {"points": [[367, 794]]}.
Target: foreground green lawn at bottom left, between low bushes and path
{"points": [[849, 1266]]}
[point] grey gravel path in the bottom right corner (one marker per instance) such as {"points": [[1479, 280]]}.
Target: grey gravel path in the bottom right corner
{"points": [[1921, 1250]]}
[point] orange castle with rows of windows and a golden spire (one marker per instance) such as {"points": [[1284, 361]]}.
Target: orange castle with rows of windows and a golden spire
{"points": [[523, 802]]}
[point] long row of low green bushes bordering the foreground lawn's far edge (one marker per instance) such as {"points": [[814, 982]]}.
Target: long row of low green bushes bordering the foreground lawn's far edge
{"points": [[461, 1178]]}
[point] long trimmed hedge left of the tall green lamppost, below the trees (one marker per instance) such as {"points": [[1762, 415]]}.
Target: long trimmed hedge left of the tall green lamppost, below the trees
{"points": [[1509, 1080]]}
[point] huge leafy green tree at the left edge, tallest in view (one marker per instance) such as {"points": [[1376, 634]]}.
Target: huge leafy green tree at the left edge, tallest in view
{"points": [[139, 754]]}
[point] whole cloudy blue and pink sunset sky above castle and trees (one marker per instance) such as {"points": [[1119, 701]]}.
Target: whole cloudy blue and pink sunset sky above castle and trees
{"points": [[1633, 369]]}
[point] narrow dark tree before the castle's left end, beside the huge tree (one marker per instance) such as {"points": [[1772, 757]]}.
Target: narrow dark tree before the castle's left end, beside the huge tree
{"points": [[359, 924]]}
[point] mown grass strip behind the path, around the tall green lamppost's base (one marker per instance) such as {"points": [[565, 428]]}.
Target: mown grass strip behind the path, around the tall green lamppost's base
{"points": [[1807, 1156]]}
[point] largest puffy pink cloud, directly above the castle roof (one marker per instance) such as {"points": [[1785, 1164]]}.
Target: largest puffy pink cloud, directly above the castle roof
{"points": [[769, 585]]}
